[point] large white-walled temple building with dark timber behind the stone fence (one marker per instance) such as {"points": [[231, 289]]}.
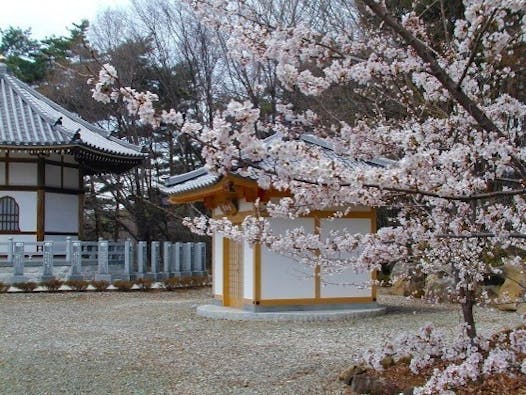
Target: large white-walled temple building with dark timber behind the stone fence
{"points": [[45, 151]]}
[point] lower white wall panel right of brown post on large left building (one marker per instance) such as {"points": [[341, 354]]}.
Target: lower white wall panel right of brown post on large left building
{"points": [[61, 213]]}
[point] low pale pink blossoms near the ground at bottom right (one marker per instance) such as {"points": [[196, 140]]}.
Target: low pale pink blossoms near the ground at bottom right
{"points": [[468, 359]]}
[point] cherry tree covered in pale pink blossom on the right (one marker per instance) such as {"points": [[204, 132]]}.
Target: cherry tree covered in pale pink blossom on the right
{"points": [[447, 114]]}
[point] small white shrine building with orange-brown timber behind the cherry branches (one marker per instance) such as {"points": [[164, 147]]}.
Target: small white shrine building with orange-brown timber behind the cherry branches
{"points": [[257, 279]]}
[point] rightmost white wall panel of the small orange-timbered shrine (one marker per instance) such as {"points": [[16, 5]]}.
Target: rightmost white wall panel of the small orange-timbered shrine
{"points": [[338, 285]]}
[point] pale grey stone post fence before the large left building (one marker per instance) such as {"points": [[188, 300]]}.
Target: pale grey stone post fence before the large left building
{"points": [[99, 260]]}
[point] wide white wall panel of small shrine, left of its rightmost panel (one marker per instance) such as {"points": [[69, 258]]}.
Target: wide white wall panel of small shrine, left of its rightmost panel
{"points": [[283, 277]]}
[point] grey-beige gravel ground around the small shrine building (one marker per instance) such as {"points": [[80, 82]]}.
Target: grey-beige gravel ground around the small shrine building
{"points": [[154, 343]]}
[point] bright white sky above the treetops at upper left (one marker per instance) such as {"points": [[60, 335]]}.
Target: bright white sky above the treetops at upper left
{"points": [[51, 17]]}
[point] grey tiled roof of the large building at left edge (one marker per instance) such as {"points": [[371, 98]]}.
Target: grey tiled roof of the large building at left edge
{"points": [[30, 121]]}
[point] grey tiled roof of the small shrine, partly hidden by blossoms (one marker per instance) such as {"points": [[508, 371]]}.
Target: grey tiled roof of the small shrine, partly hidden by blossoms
{"points": [[201, 179]]}
